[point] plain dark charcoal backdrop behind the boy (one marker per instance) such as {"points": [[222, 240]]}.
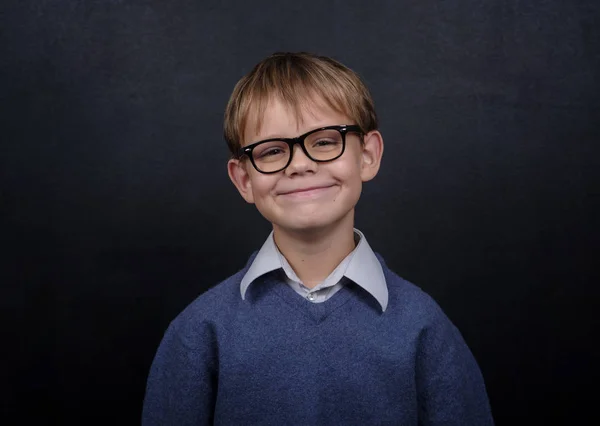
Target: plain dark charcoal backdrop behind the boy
{"points": [[117, 210]]}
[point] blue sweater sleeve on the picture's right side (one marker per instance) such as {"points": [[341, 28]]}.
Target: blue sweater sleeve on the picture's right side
{"points": [[450, 387]]}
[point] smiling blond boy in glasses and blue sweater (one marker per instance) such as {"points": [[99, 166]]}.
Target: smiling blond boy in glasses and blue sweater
{"points": [[315, 329]]}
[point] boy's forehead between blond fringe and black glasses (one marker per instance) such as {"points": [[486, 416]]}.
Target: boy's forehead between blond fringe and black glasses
{"points": [[281, 119]]}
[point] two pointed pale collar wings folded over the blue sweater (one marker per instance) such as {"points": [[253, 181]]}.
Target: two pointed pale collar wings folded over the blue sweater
{"points": [[364, 268]]}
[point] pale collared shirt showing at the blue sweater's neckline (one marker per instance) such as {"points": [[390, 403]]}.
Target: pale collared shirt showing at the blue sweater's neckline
{"points": [[361, 266]]}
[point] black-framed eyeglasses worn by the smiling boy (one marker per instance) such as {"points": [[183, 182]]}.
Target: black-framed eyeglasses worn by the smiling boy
{"points": [[320, 145]]}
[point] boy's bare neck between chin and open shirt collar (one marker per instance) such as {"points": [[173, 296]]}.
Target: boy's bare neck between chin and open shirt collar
{"points": [[314, 254]]}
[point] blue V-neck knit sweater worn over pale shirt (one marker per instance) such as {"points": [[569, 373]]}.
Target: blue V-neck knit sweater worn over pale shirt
{"points": [[277, 359]]}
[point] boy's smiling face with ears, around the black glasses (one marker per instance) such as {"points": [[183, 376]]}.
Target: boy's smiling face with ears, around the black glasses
{"points": [[307, 196]]}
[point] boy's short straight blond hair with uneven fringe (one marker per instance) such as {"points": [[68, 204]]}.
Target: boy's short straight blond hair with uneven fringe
{"points": [[297, 79]]}
